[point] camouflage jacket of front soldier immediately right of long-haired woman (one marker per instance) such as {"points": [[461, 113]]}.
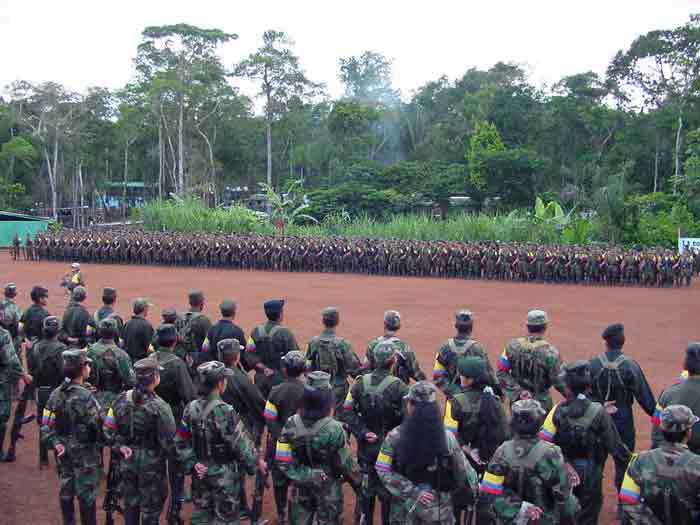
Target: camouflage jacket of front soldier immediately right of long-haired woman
{"points": [[532, 471]]}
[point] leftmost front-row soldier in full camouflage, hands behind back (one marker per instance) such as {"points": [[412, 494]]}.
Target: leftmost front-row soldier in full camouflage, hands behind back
{"points": [[70, 426]]}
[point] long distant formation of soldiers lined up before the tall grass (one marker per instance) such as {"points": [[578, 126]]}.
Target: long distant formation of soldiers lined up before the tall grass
{"points": [[480, 260]]}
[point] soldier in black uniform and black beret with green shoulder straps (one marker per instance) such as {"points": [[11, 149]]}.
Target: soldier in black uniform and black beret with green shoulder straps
{"points": [[616, 381]]}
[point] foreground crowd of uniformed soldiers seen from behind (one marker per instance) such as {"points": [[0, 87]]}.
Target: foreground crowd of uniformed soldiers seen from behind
{"points": [[151, 406]]}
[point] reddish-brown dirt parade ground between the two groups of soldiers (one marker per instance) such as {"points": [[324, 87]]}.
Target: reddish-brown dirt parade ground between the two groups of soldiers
{"points": [[658, 324]]}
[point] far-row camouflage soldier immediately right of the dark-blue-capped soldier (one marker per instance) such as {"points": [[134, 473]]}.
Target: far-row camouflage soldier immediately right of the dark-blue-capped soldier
{"points": [[333, 354]]}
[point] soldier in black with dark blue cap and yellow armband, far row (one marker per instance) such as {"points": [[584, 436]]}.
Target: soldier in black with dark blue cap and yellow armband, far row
{"points": [[266, 346]]}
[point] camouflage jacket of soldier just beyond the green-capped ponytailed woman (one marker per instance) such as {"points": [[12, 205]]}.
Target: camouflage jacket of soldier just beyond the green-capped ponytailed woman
{"points": [[445, 373]]}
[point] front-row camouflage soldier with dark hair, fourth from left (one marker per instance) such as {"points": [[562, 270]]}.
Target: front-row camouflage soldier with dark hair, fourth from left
{"points": [[312, 452]]}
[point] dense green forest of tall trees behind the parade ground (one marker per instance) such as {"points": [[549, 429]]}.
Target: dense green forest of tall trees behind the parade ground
{"points": [[620, 148]]}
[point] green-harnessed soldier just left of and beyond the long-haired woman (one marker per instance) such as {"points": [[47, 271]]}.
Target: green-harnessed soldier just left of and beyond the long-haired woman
{"points": [[372, 409]]}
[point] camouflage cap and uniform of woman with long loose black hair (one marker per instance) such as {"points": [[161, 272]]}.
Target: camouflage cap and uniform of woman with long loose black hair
{"points": [[447, 474]]}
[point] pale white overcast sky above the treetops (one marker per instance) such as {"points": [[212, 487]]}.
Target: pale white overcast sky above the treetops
{"points": [[82, 43]]}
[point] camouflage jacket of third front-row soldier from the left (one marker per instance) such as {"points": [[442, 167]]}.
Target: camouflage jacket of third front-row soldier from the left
{"points": [[221, 427]]}
